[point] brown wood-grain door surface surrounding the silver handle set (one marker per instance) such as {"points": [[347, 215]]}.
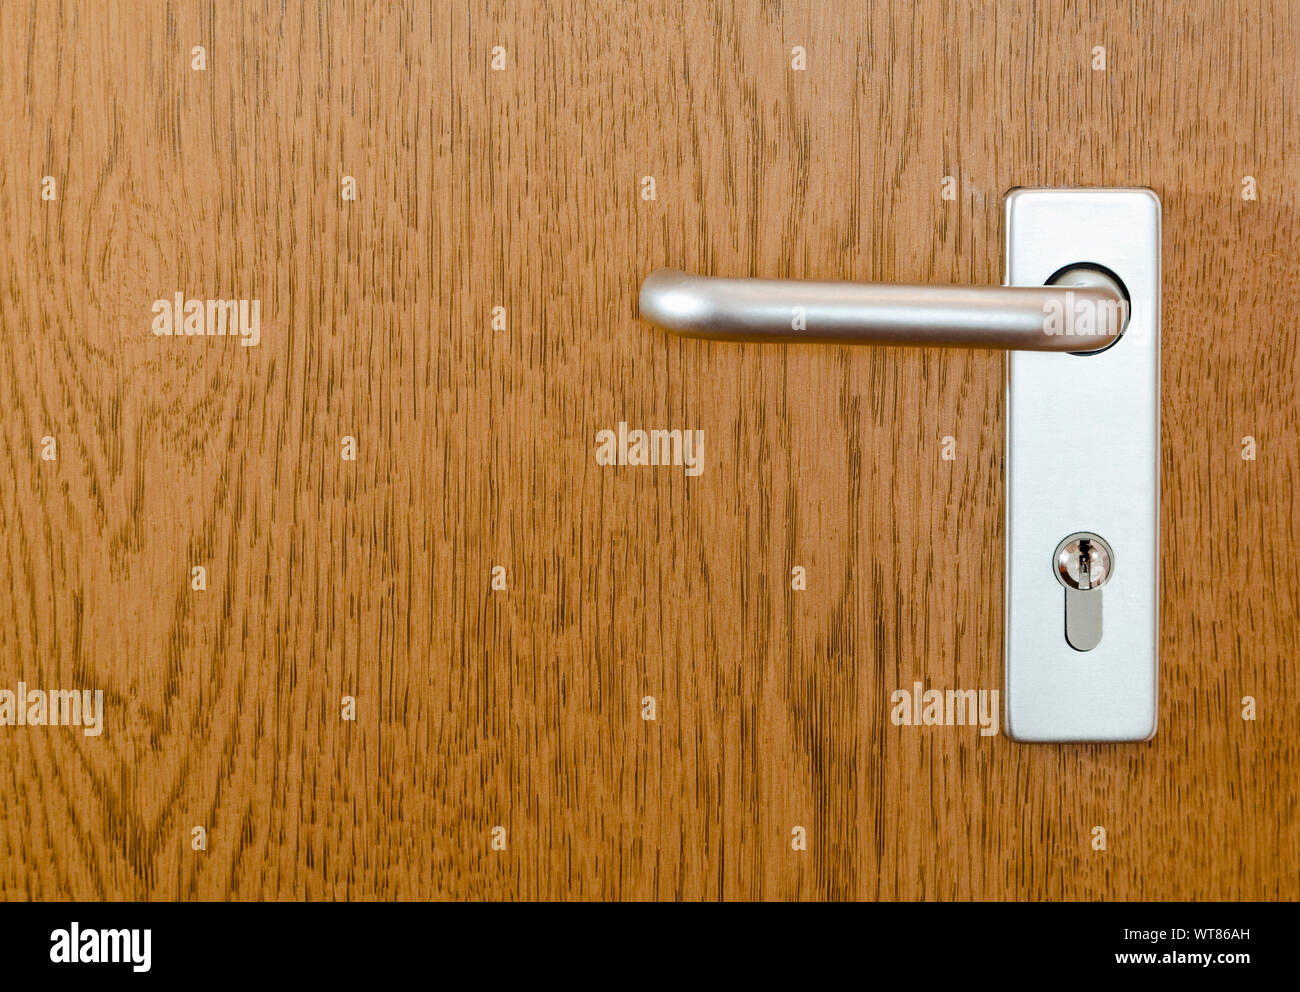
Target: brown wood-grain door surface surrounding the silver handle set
{"points": [[372, 579]]}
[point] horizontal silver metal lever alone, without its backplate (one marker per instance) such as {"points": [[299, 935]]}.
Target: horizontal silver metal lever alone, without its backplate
{"points": [[1013, 318]]}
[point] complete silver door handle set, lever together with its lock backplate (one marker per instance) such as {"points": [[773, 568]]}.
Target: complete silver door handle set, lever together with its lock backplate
{"points": [[1080, 317]]}
